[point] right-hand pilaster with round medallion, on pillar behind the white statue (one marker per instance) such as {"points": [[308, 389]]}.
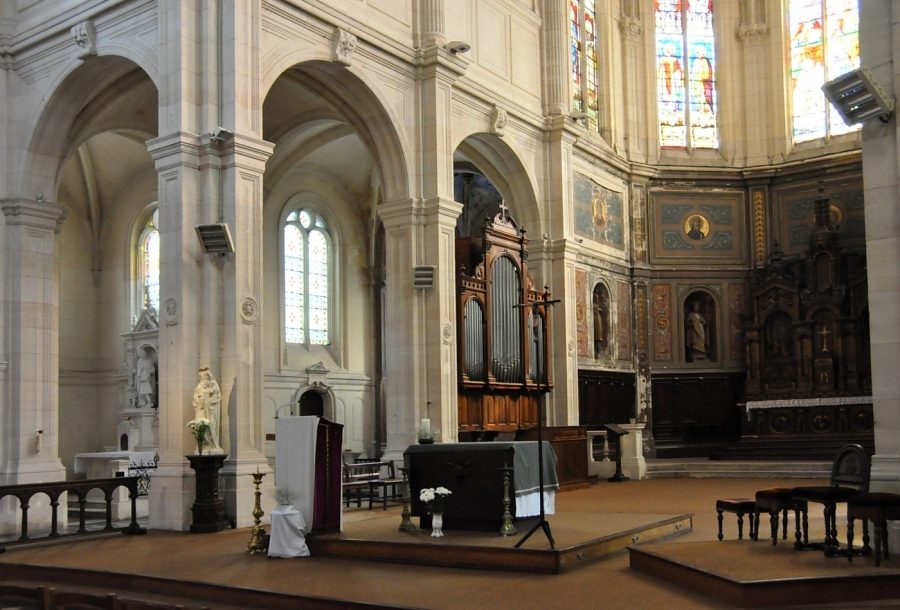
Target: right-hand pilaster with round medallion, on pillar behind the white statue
{"points": [[241, 380]]}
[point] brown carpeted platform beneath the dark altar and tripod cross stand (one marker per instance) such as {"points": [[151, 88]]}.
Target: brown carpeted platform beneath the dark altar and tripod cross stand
{"points": [[581, 537]]}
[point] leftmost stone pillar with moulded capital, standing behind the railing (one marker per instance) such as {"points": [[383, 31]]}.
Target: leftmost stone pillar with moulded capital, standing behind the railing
{"points": [[30, 403]]}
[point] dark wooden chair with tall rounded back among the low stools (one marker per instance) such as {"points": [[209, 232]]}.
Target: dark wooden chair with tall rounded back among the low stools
{"points": [[849, 477]]}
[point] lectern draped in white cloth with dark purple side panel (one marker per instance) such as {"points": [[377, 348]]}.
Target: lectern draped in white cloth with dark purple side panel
{"points": [[308, 462]]}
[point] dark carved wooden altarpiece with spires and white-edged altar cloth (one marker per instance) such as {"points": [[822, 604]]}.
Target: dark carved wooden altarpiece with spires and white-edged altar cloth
{"points": [[808, 374]]}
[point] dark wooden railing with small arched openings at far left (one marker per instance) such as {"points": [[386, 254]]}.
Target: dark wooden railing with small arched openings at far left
{"points": [[53, 491]]}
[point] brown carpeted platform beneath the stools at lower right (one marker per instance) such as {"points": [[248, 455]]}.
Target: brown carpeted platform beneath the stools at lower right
{"points": [[756, 574]]}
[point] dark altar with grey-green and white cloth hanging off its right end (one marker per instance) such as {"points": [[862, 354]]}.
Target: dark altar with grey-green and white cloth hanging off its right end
{"points": [[473, 472]]}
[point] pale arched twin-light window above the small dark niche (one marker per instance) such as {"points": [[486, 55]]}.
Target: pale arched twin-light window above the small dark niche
{"points": [[307, 272]]}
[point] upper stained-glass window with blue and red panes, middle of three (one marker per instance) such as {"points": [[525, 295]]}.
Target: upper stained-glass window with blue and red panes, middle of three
{"points": [[685, 74]]}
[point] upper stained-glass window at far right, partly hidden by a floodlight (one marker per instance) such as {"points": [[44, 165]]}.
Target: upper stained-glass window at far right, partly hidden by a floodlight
{"points": [[824, 39]]}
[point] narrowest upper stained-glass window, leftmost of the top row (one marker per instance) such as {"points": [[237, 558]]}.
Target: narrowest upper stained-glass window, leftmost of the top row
{"points": [[584, 61]]}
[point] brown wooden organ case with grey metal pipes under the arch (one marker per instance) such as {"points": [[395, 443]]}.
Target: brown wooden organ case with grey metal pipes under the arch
{"points": [[504, 331]]}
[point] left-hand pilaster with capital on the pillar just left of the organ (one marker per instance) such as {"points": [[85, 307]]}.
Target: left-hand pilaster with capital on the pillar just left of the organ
{"points": [[404, 339]]}
